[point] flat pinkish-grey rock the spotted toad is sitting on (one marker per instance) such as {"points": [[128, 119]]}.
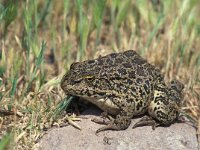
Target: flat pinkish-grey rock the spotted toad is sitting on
{"points": [[178, 136]]}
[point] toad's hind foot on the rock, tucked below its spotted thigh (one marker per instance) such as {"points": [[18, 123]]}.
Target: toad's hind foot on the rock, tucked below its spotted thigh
{"points": [[146, 121]]}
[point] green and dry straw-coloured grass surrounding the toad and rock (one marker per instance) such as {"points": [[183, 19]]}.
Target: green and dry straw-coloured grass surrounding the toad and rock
{"points": [[40, 39]]}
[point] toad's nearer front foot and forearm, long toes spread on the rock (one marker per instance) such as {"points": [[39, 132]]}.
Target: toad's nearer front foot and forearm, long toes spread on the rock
{"points": [[120, 123]]}
